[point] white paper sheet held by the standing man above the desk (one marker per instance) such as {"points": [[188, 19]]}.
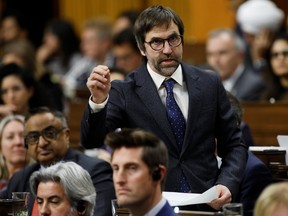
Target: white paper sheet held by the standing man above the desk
{"points": [[180, 199]]}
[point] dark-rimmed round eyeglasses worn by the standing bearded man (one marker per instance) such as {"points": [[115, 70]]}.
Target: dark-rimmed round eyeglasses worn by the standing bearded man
{"points": [[158, 44]]}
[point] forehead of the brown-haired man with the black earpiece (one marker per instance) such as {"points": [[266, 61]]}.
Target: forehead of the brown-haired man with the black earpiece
{"points": [[125, 155]]}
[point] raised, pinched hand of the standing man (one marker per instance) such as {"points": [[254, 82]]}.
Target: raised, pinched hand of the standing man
{"points": [[99, 83]]}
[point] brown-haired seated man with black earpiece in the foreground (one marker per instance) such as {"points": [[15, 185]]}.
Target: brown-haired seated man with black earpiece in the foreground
{"points": [[139, 162]]}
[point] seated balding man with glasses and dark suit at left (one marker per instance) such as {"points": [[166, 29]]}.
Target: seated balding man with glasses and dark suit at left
{"points": [[46, 136]]}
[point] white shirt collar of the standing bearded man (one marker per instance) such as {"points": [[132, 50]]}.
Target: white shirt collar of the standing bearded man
{"points": [[159, 79]]}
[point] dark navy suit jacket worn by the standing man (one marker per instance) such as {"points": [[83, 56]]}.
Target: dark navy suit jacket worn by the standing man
{"points": [[135, 103]]}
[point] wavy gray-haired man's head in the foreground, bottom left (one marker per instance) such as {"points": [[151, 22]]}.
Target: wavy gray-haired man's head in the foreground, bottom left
{"points": [[64, 188]]}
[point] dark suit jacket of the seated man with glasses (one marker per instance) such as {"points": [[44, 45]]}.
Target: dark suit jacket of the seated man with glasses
{"points": [[100, 171]]}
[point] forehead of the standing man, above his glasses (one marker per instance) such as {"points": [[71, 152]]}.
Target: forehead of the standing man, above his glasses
{"points": [[162, 31]]}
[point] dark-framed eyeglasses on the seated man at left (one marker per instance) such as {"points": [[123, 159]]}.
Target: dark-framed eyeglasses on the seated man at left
{"points": [[49, 133]]}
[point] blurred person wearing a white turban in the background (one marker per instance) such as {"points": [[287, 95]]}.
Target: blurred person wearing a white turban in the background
{"points": [[259, 21]]}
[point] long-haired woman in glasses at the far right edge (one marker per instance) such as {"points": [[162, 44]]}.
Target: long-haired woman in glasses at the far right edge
{"points": [[276, 75]]}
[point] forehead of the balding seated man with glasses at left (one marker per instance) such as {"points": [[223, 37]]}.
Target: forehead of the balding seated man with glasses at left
{"points": [[40, 121]]}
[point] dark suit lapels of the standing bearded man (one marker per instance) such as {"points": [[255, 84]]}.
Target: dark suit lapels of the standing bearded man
{"points": [[149, 95]]}
